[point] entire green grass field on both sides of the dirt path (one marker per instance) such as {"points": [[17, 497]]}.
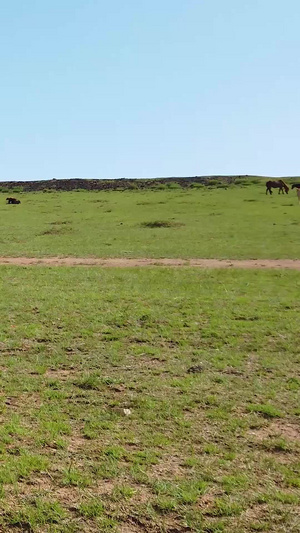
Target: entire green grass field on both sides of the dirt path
{"points": [[150, 400]]}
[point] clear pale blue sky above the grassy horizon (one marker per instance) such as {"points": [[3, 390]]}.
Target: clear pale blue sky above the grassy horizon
{"points": [[142, 88]]}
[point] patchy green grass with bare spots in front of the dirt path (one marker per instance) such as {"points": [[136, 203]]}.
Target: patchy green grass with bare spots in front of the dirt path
{"points": [[214, 450]]}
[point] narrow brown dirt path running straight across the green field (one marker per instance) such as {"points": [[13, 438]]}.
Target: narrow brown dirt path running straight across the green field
{"points": [[144, 262]]}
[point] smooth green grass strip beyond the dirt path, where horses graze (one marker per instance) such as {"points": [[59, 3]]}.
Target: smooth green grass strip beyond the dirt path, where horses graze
{"points": [[210, 222]]}
